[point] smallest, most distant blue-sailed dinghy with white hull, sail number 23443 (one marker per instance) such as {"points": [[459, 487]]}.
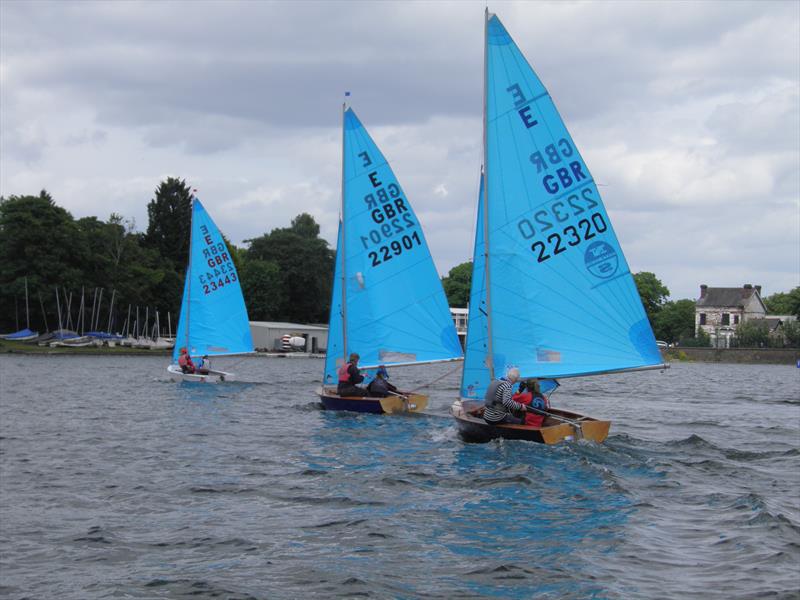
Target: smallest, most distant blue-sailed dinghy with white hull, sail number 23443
{"points": [[213, 320]]}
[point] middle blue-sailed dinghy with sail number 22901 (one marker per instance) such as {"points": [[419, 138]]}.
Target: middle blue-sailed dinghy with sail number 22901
{"points": [[387, 302]]}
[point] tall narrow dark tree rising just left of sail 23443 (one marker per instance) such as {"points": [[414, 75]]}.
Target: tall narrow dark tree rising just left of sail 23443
{"points": [[169, 221]]}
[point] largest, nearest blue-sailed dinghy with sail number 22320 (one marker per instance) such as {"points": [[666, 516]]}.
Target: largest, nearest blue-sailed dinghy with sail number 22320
{"points": [[552, 294]]}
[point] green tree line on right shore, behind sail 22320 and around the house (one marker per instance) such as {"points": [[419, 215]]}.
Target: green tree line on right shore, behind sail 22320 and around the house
{"points": [[673, 321]]}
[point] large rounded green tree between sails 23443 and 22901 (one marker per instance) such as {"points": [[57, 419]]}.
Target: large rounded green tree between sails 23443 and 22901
{"points": [[305, 265]]}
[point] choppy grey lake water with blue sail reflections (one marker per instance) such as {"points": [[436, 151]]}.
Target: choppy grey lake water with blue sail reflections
{"points": [[116, 483]]}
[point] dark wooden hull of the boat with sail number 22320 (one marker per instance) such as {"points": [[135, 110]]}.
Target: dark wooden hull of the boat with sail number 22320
{"points": [[472, 428]]}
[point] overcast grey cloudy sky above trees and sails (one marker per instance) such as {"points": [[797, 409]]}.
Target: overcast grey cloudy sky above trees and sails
{"points": [[686, 113]]}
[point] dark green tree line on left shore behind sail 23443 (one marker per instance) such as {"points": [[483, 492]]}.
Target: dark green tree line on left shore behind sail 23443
{"points": [[286, 274]]}
